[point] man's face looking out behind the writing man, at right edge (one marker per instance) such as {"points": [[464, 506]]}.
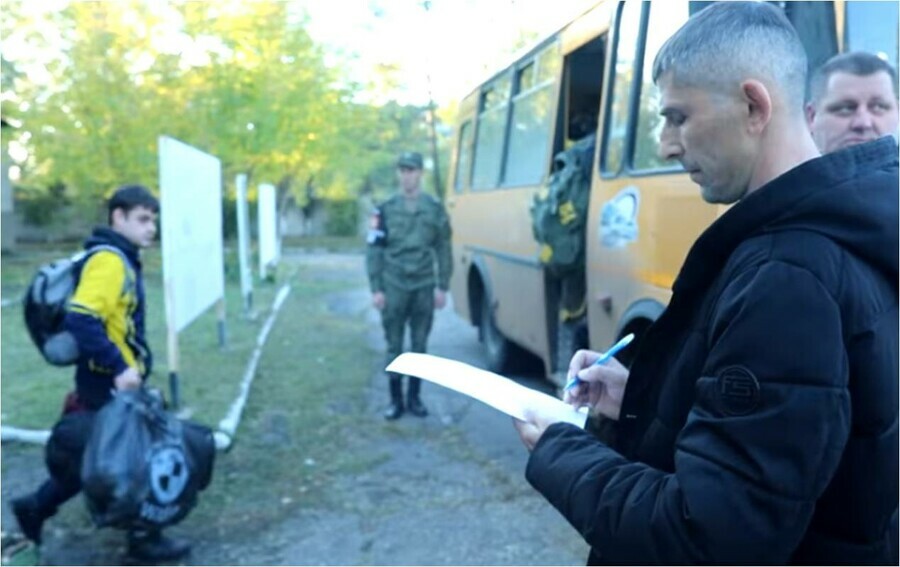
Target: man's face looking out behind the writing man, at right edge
{"points": [[853, 99]]}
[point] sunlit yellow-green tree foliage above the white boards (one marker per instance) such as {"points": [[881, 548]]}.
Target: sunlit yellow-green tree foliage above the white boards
{"points": [[243, 81]]}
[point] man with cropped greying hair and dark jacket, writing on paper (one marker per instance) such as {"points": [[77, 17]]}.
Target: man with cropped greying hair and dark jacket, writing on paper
{"points": [[758, 422]]}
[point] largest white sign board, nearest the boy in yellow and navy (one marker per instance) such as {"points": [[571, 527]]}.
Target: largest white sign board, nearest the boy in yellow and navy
{"points": [[190, 183]]}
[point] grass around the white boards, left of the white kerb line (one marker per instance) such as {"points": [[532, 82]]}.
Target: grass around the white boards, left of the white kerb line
{"points": [[32, 390]]}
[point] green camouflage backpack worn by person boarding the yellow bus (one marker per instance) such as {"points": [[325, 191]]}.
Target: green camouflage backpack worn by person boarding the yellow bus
{"points": [[559, 211]]}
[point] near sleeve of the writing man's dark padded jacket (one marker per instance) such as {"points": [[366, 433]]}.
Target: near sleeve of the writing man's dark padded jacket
{"points": [[745, 482]]}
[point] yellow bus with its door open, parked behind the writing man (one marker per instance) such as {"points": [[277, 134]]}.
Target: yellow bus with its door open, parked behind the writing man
{"points": [[643, 214]]}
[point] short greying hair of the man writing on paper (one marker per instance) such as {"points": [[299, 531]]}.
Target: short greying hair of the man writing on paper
{"points": [[729, 42]]}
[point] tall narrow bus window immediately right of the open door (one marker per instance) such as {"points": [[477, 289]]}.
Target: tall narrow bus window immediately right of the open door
{"points": [[619, 104]]}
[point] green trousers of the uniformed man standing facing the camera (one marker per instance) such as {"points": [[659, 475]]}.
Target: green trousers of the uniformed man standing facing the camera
{"points": [[402, 307]]}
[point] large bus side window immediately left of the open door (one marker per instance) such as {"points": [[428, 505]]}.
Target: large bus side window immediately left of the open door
{"points": [[532, 110]]}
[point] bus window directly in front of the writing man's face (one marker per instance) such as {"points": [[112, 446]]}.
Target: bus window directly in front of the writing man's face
{"points": [[665, 19]]}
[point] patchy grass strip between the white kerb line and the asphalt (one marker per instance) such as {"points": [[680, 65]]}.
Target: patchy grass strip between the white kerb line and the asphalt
{"points": [[311, 382]]}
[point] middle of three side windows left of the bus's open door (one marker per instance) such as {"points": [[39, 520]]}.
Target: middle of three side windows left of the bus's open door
{"points": [[491, 131]]}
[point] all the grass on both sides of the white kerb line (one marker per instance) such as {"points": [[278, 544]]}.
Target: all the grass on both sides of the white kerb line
{"points": [[304, 416]]}
